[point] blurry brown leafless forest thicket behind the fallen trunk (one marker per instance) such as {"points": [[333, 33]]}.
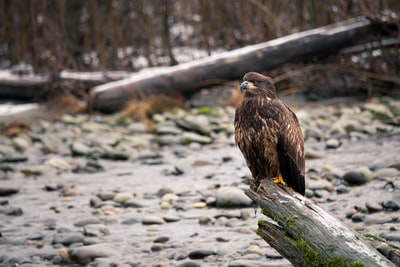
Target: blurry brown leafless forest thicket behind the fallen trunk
{"points": [[52, 36]]}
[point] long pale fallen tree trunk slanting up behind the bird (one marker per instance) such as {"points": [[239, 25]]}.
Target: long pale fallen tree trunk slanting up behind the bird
{"points": [[189, 77]]}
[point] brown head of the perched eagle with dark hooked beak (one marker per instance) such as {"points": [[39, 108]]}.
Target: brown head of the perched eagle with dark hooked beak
{"points": [[256, 84]]}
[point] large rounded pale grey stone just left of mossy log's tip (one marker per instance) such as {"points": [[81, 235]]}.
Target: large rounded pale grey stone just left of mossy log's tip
{"points": [[231, 197]]}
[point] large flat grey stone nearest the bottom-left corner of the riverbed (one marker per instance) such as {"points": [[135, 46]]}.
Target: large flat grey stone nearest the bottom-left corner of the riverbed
{"points": [[86, 254]]}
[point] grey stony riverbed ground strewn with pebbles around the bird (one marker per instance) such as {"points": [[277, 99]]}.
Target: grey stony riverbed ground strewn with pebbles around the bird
{"points": [[101, 191]]}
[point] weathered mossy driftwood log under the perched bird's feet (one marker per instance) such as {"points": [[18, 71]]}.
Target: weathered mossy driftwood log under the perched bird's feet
{"points": [[306, 235]]}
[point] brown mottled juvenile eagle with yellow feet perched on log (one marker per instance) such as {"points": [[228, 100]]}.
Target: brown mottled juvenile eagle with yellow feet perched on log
{"points": [[268, 134]]}
